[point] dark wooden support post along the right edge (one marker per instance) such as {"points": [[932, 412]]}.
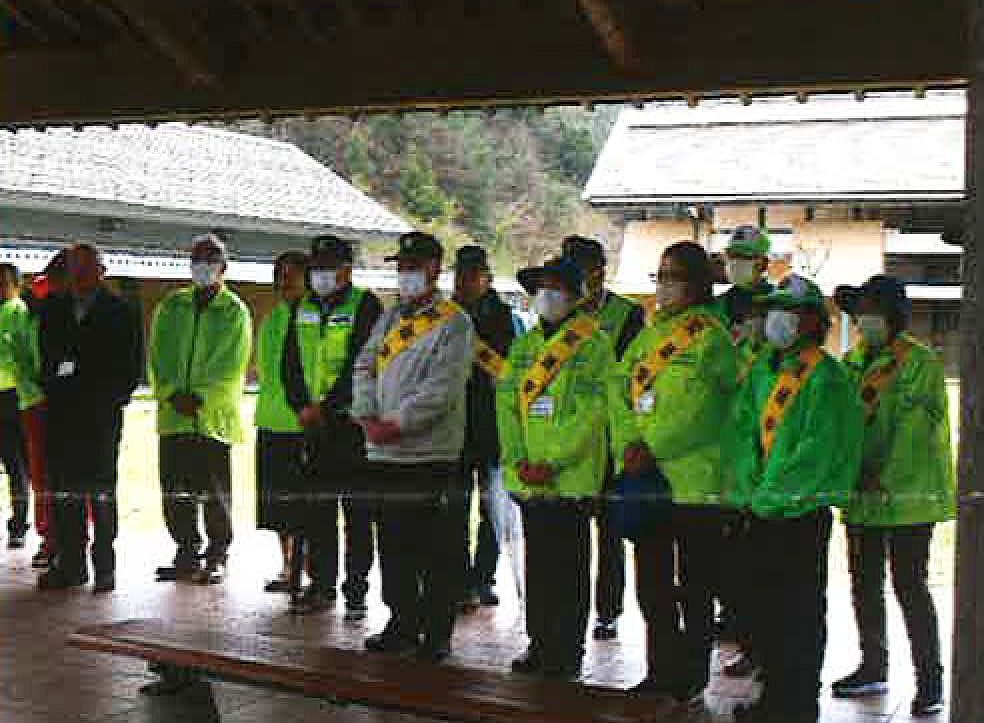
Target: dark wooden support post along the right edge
{"points": [[968, 635]]}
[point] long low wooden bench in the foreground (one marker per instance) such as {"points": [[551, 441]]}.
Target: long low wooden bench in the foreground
{"points": [[181, 655]]}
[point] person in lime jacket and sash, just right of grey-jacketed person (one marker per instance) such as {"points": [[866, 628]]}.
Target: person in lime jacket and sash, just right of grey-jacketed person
{"points": [[551, 412]]}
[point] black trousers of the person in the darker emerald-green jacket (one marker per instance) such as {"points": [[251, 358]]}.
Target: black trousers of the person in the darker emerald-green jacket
{"points": [[786, 608]]}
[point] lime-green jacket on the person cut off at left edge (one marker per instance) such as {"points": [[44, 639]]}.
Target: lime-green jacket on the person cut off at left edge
{"points": [[19, 360]]}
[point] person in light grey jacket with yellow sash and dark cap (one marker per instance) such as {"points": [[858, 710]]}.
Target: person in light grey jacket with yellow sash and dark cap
{"points": [[409, 397]]}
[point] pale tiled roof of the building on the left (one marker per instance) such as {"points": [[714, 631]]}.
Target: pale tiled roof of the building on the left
{"points": [[176, 169]]}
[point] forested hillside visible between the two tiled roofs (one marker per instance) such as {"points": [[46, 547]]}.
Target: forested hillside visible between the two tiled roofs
{"points": [[509, 180]]}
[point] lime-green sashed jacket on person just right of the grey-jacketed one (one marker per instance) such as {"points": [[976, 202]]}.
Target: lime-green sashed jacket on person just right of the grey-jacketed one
{"points": [[572, 439]]}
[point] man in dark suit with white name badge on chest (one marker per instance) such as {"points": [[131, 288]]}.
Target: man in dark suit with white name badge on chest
{"points": [[91, 352]]}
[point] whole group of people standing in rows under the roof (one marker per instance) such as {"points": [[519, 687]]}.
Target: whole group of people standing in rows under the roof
{"points": [[717, 437]]}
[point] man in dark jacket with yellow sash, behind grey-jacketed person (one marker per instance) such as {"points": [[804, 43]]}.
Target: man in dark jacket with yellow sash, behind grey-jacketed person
{"points": [[494, 329]]}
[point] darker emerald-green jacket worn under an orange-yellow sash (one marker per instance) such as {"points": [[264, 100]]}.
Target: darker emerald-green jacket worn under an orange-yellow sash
{"points": [[816, 451]]}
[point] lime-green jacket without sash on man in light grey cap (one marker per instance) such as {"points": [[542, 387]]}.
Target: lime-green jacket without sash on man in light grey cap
{"points": [[204, 352]]}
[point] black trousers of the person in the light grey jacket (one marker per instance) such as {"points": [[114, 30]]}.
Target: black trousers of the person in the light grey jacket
{"points": [[418, 547]]}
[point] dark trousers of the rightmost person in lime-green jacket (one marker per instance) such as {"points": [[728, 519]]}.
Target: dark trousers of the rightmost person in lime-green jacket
{"points": [[907, 549]]}
